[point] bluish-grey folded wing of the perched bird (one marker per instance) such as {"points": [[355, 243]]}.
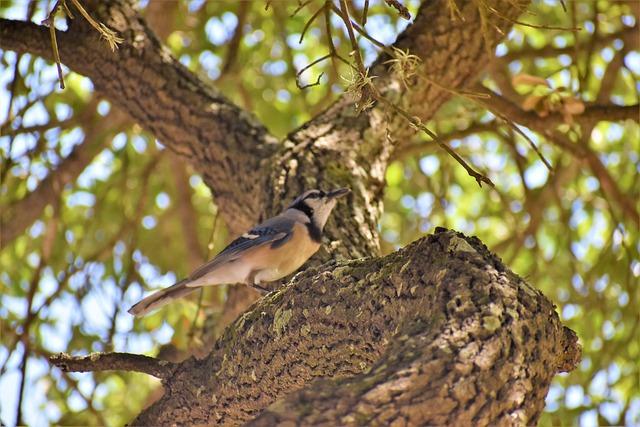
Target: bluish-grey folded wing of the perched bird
{"points": [[275, 231]]}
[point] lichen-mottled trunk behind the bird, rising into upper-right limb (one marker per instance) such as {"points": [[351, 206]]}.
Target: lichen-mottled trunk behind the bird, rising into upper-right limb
{"points": [[340, 147]]}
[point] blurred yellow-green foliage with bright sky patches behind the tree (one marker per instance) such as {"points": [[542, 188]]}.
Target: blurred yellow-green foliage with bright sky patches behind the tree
{"points": [[136, 218]]}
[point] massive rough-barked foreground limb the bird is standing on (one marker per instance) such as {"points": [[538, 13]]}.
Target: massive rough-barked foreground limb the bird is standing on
{"points": [[440, 332]]}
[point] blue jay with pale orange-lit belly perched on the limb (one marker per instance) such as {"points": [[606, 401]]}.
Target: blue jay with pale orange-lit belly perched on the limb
{"points": [[269, 251]]}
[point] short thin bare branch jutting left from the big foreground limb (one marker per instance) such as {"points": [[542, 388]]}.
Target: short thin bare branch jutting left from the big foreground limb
{"points": [[96, 362]]}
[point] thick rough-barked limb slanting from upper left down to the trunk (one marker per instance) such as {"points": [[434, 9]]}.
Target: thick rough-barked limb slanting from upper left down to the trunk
{"points": [[183, 112]]}
